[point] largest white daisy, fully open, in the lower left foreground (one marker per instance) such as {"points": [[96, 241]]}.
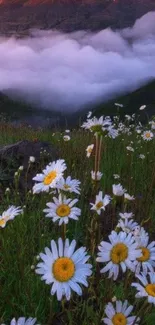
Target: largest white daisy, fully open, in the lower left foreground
{"points": [[64, 268]]}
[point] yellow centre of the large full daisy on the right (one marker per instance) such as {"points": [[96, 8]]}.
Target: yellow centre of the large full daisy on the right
{"points": [[119, 253]]}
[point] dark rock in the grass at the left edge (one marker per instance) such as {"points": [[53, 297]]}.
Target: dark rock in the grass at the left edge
{"points": [[15, 155]]}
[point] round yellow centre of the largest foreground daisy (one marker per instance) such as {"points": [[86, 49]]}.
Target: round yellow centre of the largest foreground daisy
{"points": [[63, 269]]}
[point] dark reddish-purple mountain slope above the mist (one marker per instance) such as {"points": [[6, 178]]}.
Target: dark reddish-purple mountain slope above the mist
{"points": [[18, 16]]}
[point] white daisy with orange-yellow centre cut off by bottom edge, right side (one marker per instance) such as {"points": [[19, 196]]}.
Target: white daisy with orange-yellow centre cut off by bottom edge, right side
{"points": [[119, 314]]}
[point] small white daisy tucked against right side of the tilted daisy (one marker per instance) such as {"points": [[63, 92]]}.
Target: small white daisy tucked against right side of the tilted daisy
{"points": [[69, 185]]}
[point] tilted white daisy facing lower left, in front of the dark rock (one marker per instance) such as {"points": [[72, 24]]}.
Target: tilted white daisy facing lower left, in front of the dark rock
{"points": [[49, 177]]}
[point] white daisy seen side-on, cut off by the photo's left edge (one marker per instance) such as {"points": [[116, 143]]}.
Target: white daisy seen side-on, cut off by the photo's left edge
{"points": [[9, 214]]}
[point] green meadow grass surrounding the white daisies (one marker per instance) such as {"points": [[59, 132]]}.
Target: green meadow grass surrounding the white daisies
{"points": [[22, 291]]}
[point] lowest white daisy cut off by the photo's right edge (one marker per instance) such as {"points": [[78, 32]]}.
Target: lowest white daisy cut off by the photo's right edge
{"points": [[147, 289]]}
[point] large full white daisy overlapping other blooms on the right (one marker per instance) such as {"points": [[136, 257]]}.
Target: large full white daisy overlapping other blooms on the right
{"points": [[121, 252]]}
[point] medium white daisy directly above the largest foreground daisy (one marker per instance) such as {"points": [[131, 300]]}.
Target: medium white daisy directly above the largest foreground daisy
{"points": [[62, 209]]}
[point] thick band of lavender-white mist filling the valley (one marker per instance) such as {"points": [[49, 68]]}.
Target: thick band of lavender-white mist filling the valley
{"points": [[66, 72]]}
